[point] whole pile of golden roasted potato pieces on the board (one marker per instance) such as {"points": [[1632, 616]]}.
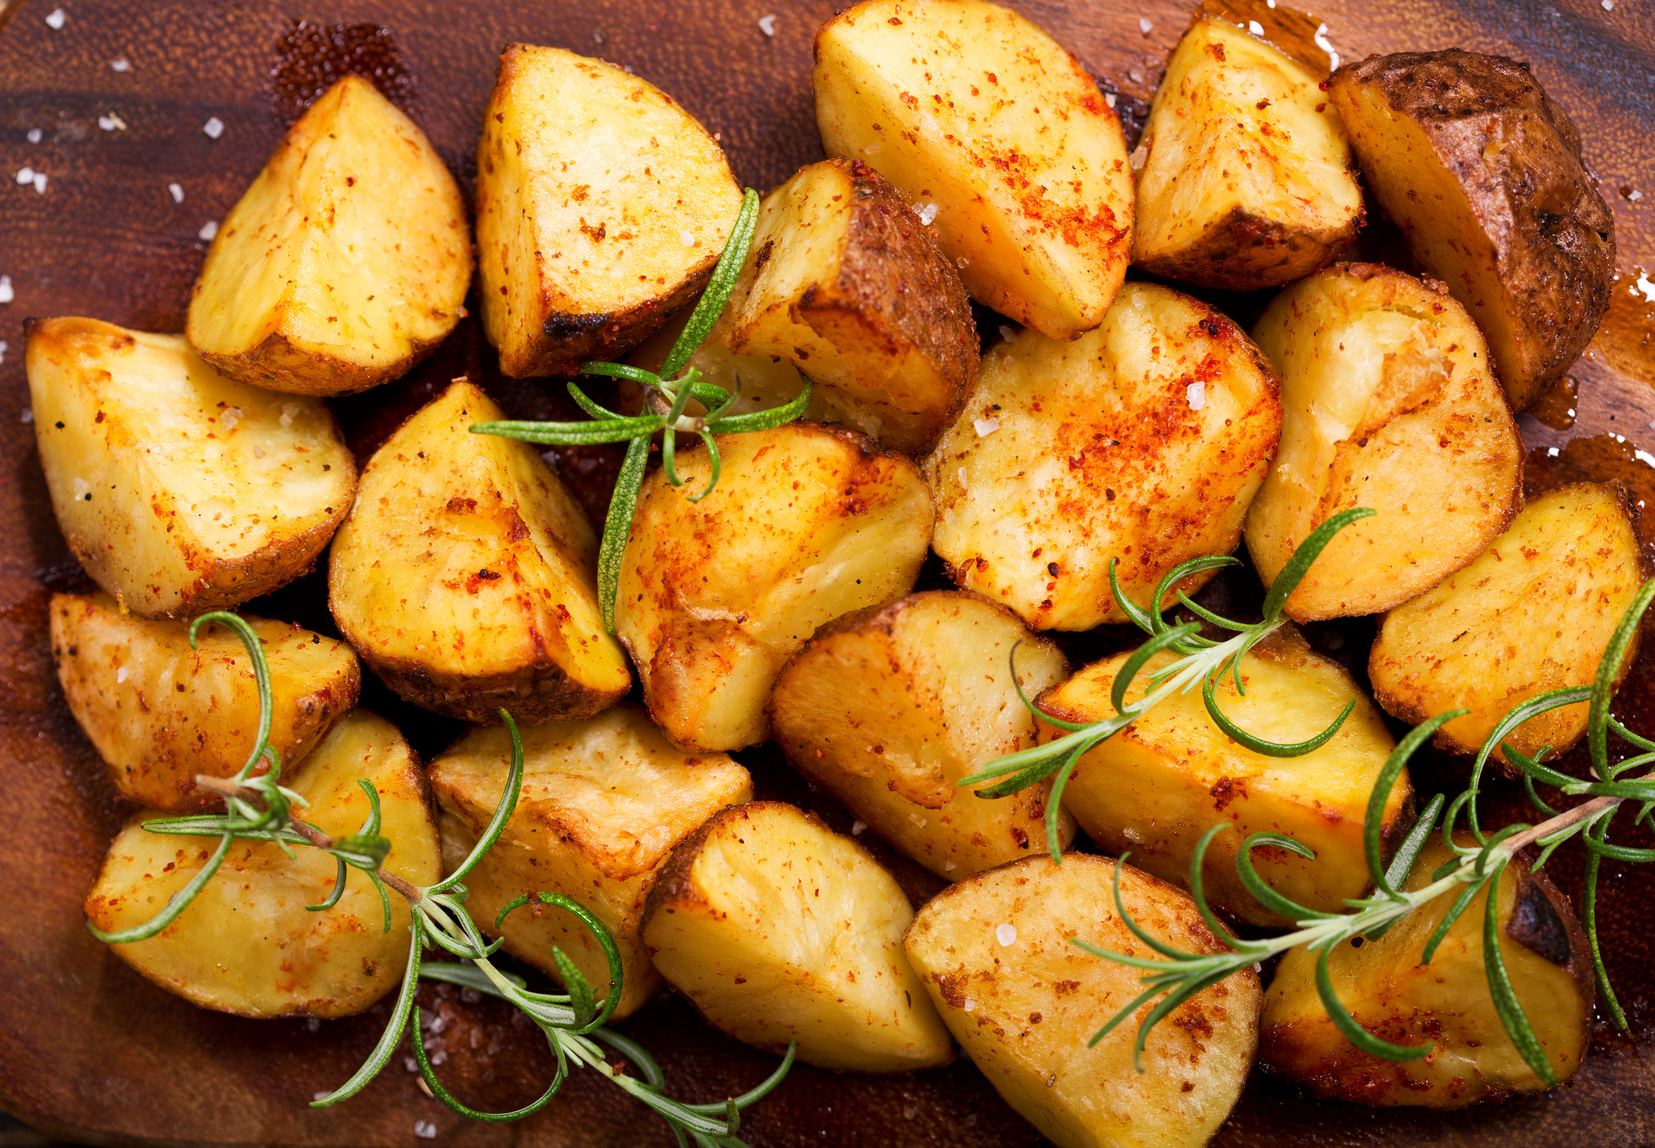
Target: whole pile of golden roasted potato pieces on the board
{"points": [[1120, 421]]}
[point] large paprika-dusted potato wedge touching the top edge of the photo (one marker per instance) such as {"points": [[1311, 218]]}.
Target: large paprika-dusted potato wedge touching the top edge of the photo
{"points": [[999, 138]]}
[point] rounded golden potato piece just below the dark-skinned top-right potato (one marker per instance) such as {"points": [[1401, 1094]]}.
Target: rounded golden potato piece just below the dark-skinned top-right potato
{"points": [[1389, 403]]}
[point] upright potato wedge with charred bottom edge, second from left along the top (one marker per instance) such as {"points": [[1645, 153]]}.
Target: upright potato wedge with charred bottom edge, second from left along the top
{"points": [[602, 209]]}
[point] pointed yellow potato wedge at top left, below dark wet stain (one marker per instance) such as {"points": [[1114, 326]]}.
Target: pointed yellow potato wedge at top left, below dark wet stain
{"points": [[345, 264]]}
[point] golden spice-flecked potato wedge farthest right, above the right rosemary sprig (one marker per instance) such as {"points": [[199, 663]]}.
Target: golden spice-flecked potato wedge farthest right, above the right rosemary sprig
{"points": [[1533, 613]]}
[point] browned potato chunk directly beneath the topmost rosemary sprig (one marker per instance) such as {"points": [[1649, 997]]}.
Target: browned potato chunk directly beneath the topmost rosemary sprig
{"points": [[807, 524]]}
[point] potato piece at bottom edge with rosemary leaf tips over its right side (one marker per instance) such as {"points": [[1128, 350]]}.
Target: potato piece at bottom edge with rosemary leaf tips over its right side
{"points": [[1024, 1000]]}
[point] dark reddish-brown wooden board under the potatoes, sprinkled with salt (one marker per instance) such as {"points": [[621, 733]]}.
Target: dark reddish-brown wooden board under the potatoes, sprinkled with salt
{"points": [[94, 1053]]}
